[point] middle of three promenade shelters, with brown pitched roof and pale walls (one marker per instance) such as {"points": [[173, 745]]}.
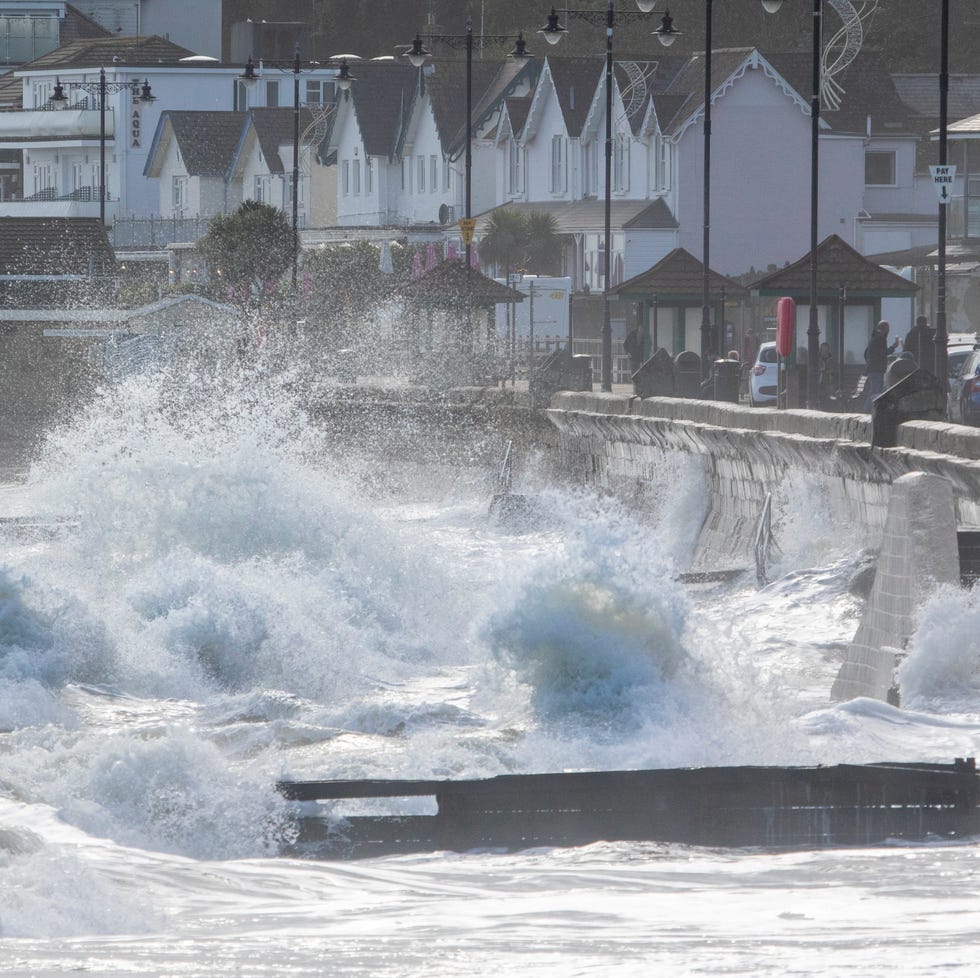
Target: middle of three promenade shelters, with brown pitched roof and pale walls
{"points": [[669, 298]]}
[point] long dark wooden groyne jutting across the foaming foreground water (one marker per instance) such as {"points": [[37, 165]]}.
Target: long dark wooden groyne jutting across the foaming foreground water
{"points": [[770, 807]]}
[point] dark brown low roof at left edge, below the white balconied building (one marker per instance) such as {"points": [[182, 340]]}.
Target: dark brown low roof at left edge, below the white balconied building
{"points": [[55, 246]]}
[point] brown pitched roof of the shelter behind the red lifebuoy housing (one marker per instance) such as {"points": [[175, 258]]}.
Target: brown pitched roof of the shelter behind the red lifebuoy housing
{"points": [[838, 264]]}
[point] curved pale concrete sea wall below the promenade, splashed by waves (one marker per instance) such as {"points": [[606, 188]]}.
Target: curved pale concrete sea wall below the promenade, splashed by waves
{"points": [[617, 443]]}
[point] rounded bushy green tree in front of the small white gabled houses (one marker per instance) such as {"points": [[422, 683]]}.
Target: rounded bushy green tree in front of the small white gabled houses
{"points": [[247, 253]]}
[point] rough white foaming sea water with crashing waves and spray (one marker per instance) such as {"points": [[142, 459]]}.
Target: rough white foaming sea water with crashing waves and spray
{"points": [[214, 598]]}
